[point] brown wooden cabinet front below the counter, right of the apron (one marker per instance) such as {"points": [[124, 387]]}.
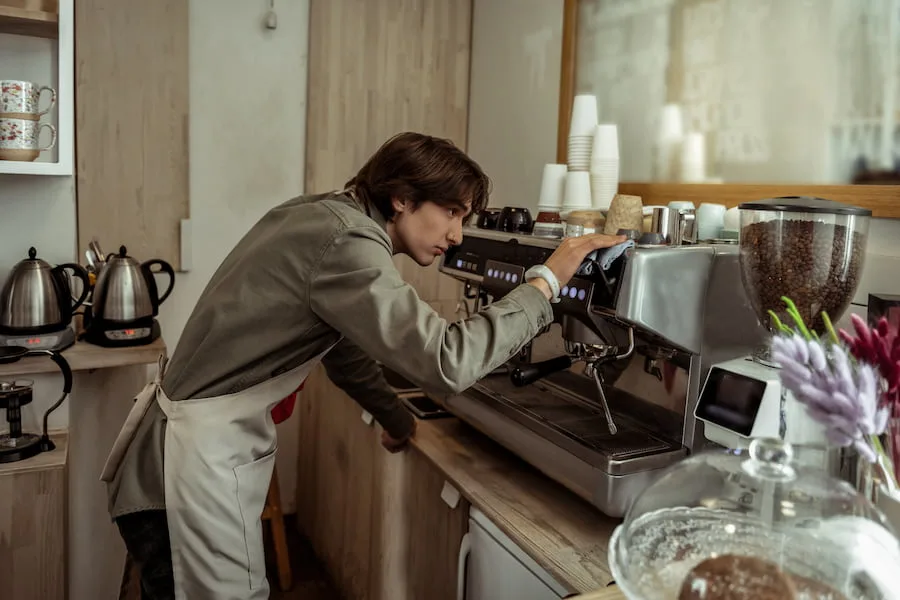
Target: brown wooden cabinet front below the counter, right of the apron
{"points": [[375, 519]]}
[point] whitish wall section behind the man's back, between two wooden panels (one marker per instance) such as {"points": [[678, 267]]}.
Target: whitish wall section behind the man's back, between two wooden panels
{"points": [[247, 153]]}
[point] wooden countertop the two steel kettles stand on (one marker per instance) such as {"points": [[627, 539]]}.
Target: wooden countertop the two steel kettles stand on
{"points": [[83, 356]]}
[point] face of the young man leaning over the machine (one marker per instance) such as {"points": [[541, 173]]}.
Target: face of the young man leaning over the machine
{"points": [[426, 232]]}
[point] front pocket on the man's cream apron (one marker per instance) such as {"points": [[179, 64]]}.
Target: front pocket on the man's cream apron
{"points": [[252, 488]]}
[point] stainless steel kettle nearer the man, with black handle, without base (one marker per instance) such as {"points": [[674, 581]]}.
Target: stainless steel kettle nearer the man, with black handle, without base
{"points": [[125, 290]]}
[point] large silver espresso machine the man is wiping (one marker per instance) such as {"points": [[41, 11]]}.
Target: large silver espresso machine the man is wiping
{"points": [[616, 406]]}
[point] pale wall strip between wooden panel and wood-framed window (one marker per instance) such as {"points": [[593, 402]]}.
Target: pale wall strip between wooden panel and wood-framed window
{"points": [[513, 94]]}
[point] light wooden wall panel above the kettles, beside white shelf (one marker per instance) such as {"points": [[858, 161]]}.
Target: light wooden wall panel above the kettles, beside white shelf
{"points": [[131, 125]]}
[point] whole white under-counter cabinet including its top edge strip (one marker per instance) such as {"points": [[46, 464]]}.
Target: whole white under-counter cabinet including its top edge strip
{"points": [[492, 567]]}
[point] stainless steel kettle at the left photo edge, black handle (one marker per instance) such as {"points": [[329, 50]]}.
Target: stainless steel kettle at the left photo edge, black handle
{"points": [[37, 298]]}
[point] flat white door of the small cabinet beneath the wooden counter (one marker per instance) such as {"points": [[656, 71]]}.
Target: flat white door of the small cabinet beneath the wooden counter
{"points": [[494, 573]]}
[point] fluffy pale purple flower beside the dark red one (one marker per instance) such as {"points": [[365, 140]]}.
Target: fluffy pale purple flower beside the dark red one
{"points": [[837, 392]]}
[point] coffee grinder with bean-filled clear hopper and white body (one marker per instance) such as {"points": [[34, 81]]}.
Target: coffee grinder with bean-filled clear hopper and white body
{"points": [[807, 249]]}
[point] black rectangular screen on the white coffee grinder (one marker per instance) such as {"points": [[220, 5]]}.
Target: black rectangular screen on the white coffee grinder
{"points": [[731, 400]]}
